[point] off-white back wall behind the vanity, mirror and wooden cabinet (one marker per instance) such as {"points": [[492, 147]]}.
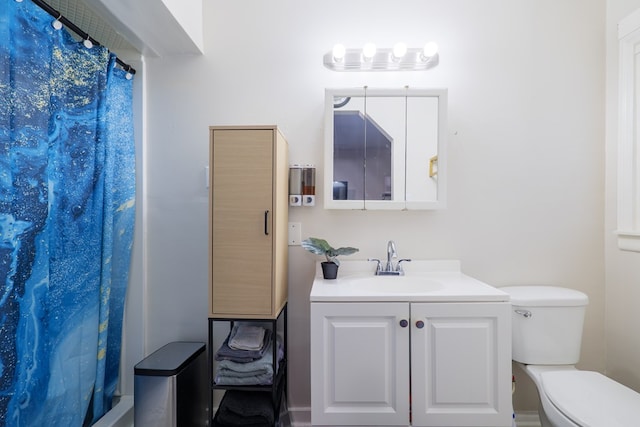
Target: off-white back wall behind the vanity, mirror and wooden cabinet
{"points": [[526, 147]]}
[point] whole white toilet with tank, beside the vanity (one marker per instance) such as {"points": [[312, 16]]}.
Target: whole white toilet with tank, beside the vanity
{"points": [[547, 335]]}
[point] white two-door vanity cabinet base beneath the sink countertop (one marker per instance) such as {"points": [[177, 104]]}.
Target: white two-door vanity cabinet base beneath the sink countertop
{"points": [[404, 363]]}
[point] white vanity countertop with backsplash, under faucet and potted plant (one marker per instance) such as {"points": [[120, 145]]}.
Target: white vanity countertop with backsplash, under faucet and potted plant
{"points": [[443, 280]]}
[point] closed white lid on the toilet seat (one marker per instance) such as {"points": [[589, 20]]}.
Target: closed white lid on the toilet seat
{"points": [[590, 399]]}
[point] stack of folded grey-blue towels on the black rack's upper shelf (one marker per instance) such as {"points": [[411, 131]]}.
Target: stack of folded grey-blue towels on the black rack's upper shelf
{"points": [[252, 366]]}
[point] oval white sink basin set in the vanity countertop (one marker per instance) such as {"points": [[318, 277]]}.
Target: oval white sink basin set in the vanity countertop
{"points": [[393, 284]]}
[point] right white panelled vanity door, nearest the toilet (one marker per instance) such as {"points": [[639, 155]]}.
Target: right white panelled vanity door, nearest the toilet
{"points": [[460, 364]]}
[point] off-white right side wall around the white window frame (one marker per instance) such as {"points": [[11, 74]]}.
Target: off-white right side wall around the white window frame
{"points": [[623, 274]]}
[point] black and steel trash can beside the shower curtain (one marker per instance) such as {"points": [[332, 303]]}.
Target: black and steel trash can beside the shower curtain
{"points": [[170, 387]]}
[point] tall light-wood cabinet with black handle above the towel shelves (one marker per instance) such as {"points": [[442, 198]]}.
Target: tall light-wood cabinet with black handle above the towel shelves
{"points": [[248, 222]]}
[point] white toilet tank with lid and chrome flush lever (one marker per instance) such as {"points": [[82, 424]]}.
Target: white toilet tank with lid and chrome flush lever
{"points": [[546, 324]]}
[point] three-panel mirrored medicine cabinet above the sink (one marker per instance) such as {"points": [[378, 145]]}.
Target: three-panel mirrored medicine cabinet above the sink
{"points": [[385, 148]]}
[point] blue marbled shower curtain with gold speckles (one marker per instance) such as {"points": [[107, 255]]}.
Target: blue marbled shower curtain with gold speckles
{"points": [[66, 221]]}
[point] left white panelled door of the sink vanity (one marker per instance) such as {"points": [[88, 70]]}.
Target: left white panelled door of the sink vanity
{"points": [[359, 364]]}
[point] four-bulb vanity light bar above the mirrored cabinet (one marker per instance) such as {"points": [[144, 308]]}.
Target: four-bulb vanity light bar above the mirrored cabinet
{"points": [[371, 58]]}
